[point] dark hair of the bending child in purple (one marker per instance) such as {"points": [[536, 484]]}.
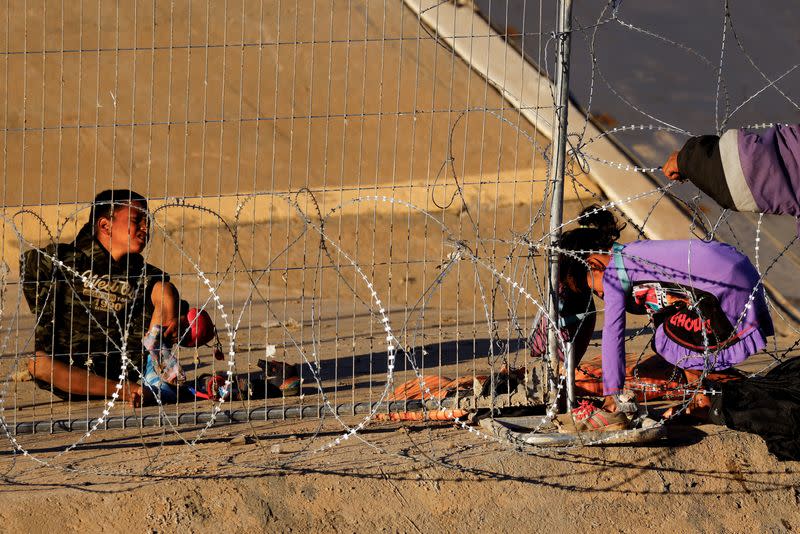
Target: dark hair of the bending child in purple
{"points": [[598, 231]]}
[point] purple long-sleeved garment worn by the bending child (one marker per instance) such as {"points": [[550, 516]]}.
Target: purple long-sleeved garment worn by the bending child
{"points": [[714, 267]]}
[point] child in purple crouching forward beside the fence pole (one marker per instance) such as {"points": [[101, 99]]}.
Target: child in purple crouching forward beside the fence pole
{"points": [[705, 300]]}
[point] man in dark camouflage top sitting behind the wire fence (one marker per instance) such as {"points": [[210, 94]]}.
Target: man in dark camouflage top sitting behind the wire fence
{"points": [[94, 298]]}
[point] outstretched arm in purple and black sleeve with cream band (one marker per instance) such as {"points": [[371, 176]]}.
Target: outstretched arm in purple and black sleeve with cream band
{"points": [[744, 171]]}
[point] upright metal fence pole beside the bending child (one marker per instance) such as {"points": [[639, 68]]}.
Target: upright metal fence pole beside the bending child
{"points": [[563, 38]]}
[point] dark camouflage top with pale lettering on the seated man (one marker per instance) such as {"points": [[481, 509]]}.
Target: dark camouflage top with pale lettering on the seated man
{"points": [[77, 318]]}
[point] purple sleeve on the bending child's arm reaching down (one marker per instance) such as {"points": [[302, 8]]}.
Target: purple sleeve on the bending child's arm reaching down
{"points": [[613, 345]]}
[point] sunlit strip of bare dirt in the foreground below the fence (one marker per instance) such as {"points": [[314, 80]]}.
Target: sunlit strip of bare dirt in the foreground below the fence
{"points": [[407, 478]]}
